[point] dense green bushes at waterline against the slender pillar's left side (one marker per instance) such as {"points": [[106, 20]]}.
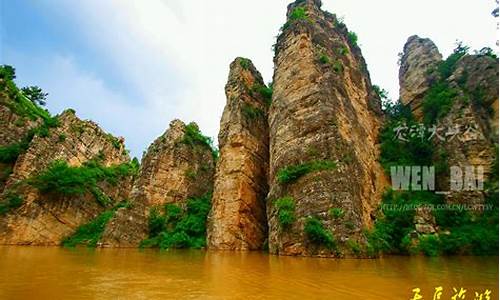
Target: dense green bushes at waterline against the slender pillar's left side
{"points": [[179, 228]]}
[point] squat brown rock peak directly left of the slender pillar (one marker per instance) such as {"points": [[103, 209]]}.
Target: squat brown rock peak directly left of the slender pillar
{"points": [[179, 164]]}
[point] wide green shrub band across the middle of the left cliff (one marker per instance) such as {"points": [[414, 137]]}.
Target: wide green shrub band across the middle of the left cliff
{"points": [[61, 179]]}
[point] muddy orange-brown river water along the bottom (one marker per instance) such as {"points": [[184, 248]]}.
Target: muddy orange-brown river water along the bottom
{"points": [[58, 273]]}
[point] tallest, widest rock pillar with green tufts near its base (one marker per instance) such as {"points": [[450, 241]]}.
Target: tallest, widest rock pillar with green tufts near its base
{"points": [[324, 121]]}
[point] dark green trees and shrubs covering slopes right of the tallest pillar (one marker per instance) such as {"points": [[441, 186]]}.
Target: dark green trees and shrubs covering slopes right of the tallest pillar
{"points": [[461, 232]]}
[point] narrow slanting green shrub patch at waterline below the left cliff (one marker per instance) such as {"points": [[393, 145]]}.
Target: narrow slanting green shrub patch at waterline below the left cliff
{"points": [[89, 234]]}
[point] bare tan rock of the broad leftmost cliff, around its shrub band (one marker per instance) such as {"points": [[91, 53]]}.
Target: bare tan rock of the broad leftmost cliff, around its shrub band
{"points": [[46, 218]]}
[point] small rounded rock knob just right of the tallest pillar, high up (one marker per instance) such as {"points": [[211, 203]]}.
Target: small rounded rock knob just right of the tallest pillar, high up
{"points": [[419, 56]]}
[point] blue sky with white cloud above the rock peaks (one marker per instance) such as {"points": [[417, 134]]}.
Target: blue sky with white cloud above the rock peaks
{"points": [[133, 66]]}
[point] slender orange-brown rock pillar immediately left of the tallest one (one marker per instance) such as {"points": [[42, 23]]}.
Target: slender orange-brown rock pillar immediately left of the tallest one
{"points": [[238, 216]]}
